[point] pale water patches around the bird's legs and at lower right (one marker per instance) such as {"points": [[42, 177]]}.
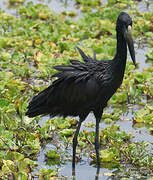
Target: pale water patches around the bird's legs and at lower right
{"points": [[83, 168]]}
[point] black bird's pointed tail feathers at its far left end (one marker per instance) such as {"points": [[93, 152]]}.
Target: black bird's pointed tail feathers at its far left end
{"points": [[38, 105]]}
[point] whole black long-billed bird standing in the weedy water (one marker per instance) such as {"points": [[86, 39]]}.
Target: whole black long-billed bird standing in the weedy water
{"points": [[84, 87]]}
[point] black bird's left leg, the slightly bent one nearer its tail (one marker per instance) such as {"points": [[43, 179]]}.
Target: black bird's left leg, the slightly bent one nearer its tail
{"points": [[75, 142]]}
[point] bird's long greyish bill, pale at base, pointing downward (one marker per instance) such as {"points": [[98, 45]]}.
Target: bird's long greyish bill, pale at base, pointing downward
{"points": [[129, 40]]}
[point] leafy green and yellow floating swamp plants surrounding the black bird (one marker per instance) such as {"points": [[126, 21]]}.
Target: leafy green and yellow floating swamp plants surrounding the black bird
{"points": [[32, 41]]}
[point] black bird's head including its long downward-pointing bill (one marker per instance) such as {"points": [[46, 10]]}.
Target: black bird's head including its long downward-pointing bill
{"points": [[124, 26]]}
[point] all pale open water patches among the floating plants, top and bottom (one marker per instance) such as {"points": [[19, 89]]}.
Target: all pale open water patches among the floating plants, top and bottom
{"points": [[83, 169]]}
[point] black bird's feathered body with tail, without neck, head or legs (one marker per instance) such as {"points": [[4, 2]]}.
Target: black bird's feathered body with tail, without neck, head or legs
{"points": [[79, 89]]}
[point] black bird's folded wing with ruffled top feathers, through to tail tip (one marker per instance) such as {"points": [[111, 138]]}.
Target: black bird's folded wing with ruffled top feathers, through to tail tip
{"points": [[76, 89]]}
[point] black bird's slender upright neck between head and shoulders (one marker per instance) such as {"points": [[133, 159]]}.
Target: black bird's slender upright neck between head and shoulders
{"points": [[121, 54]]}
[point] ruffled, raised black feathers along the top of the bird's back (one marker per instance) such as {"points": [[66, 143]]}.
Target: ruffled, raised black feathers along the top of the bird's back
{"points": [[79, 71]]}
